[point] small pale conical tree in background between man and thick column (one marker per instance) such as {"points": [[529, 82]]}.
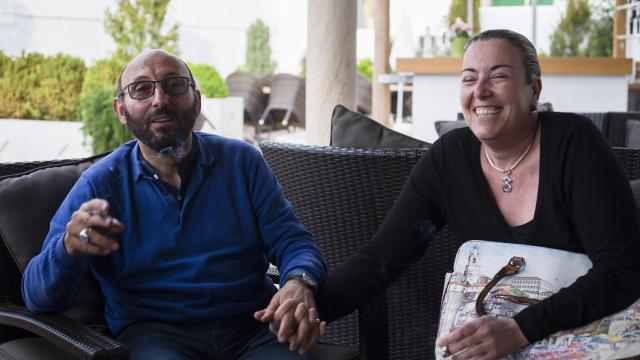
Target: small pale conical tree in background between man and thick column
{"points": [[258, 53]]}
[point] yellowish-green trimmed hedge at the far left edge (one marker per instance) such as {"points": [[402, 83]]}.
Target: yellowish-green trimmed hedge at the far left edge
{"points": [[34, 86]]}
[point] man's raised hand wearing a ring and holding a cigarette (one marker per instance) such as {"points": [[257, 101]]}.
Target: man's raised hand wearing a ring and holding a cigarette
{"points": [[94, 222]]}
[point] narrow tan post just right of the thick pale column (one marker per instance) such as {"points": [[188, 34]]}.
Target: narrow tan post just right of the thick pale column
{"points": [[381, 96]]}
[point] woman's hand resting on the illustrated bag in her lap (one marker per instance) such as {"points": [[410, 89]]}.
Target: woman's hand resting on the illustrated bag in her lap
{"points": [[483, 339]]}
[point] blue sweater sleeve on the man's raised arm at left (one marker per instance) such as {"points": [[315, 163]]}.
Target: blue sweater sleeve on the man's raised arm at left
{"points": [[53, 277]]}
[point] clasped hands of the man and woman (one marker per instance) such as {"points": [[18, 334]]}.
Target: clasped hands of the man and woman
{"points": [[292, 317]]}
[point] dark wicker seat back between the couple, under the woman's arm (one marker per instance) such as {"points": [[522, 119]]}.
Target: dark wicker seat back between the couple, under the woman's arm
{"points": [[342, 196]]}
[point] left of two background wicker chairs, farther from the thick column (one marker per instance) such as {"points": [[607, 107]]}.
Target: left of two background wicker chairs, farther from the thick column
{"points": [[249, 88]]}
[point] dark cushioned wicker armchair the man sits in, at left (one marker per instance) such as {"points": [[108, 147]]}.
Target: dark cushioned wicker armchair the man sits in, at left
{"points": [[30, 193]]}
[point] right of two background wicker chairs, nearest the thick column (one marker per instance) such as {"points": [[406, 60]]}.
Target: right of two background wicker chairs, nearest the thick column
{"points": [[286, 104]]}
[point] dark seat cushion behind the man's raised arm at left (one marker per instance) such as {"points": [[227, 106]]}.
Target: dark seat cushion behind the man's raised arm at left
{"points": [[29, 201]]}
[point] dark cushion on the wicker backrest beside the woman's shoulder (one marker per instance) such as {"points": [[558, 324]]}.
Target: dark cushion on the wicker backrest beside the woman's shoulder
{"points": [[351, 129]]}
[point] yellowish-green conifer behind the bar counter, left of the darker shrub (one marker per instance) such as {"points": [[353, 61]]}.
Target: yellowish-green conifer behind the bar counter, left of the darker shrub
{"points": [[569, 36]]}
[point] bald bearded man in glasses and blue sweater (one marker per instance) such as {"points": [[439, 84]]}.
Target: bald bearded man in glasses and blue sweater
{"points": [[178, 227]]}
